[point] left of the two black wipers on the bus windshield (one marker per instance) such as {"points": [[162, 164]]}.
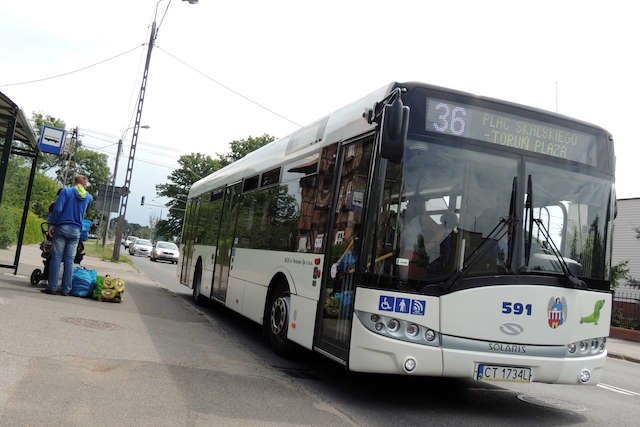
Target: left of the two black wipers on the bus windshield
{"points": [[504, 226]]}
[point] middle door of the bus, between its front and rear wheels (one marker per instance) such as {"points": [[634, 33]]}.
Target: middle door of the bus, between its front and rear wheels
{"points": [[224, 256]]}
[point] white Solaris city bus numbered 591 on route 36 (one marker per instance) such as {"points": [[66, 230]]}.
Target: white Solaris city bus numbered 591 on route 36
{"points": [[418, 231]]}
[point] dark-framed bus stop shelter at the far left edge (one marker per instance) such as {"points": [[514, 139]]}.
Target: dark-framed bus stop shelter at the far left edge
{"points": [[18, 155]]}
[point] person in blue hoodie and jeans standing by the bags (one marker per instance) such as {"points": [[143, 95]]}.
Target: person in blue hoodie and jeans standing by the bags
{"points": [[65, 224]]}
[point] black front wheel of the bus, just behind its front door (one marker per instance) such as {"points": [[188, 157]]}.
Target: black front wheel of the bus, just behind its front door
{"points": [[277, 323]]}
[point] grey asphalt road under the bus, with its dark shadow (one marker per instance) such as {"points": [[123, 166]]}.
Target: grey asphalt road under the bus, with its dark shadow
{"points": [[359, 399]]}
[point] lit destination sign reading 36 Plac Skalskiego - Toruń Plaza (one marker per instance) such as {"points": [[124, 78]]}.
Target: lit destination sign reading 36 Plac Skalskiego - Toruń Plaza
{"points": [[510, 130]]}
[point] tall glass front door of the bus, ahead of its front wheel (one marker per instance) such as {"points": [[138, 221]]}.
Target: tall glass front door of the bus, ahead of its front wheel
{"points": [[335, 312]]}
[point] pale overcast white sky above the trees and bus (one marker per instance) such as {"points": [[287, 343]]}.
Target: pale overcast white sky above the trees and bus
{"points": [[223, 71]]}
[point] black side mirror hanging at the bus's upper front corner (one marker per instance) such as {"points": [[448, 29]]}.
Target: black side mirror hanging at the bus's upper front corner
{"points": [[395, 123]]}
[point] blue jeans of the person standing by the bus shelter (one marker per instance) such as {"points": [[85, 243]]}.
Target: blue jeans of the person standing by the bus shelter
{"points": [[64, 246]]}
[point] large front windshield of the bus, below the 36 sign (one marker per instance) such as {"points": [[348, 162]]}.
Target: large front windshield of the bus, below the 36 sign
{"points": [[443, 202]]}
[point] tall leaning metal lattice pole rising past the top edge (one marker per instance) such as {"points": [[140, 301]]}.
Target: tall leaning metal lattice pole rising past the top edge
{"points": [[134, 138]]}
